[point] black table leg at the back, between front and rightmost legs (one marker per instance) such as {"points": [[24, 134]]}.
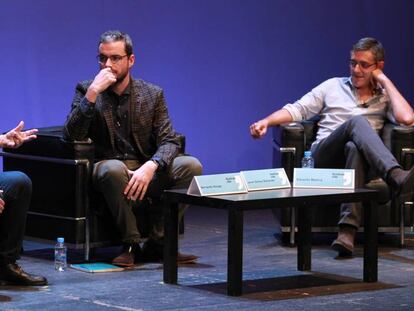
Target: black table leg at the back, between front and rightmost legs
{"points": [[304, 237]]}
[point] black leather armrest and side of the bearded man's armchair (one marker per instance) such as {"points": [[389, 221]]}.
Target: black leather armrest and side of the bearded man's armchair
{"points": [[60, 172]]}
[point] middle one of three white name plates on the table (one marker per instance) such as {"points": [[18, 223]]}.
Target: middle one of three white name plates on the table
{"points": [[266, 179]]}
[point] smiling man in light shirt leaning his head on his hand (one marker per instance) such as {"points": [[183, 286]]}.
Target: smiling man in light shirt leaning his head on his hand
{"points": [[351, 110]]}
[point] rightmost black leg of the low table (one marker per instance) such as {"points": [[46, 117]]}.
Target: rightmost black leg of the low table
{"points": [[370, 242]]}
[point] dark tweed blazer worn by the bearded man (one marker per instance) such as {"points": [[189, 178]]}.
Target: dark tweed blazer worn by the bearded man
{"points": [[151, 127]]}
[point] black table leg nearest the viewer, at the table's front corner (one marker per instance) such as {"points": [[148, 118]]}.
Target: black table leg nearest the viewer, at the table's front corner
{"points": [[235, 253]]}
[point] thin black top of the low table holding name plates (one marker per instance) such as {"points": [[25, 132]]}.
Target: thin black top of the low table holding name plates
{"points": [[286, 197]]}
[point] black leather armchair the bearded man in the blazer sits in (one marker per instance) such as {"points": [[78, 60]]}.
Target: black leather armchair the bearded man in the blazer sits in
{"points": [[63, 201]]}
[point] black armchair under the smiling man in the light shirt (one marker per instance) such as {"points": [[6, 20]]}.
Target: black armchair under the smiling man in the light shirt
{"points": [[291, 140]]}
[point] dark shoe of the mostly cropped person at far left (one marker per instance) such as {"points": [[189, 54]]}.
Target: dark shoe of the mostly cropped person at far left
{"points": [[13, 274]]}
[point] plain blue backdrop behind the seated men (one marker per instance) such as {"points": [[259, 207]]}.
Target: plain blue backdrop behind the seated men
{"points": [[222, 63]]}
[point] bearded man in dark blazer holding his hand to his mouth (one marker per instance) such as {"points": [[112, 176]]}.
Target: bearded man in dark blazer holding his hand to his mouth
{"points": [[135, 145]]}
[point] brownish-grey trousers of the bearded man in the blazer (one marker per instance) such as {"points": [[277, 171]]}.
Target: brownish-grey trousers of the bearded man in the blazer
{"points": [[110, 177]]}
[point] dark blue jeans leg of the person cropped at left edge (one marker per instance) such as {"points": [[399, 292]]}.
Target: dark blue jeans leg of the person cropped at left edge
{"points": [[17, 190]]}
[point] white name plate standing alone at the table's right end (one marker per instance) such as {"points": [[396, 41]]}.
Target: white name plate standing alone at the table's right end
{"points": [[323, 178]]}
